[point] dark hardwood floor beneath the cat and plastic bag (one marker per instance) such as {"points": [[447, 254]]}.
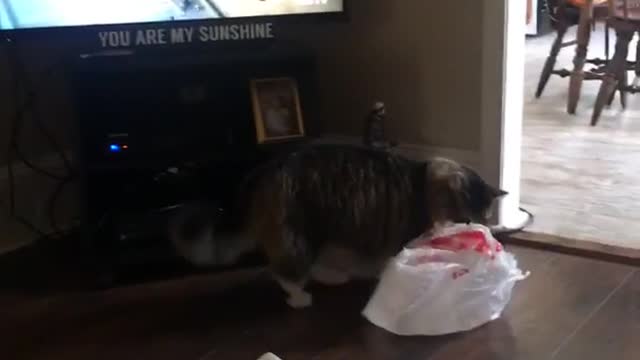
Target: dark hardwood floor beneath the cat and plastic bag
{"points": [[570, 308]]}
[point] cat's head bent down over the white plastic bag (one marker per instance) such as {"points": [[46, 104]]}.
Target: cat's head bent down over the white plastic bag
{"points": [[461, 194]]}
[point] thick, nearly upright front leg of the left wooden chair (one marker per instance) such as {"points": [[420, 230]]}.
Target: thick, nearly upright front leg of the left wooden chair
{"points": [[577, 75]]}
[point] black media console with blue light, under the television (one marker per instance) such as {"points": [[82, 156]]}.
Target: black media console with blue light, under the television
{"points": [[159, 131]]}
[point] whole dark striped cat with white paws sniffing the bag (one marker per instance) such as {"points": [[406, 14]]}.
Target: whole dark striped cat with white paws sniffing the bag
{"points": [[335, 212]]}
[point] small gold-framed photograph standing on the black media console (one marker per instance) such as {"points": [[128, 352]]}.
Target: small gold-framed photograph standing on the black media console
{"points": [[276, 109]]}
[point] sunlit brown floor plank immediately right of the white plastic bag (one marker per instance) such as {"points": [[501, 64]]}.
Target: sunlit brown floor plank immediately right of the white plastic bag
{"points": [[545, 310]]}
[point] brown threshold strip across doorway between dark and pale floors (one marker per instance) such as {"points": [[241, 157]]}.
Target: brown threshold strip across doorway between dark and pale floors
{"points": [[582, 248]]}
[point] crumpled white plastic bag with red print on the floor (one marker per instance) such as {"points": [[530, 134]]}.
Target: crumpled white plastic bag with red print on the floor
{"points": [[455, 280]]}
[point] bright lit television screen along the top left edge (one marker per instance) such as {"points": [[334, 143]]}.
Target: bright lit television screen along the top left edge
{"points": [[29, 14]]}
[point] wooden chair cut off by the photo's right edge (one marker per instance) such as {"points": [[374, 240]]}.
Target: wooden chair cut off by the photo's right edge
{"points": [[624, 18]]}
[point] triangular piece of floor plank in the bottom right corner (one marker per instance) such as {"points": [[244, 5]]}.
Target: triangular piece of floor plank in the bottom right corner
{"points": [[613, 332]]}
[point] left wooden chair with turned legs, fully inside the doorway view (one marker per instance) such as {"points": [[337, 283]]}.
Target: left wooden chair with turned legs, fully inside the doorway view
{"points": [[564, 14]]}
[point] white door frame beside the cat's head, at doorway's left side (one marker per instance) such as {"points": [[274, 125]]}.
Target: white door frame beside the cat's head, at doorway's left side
{"points": [[502, 95]]}
